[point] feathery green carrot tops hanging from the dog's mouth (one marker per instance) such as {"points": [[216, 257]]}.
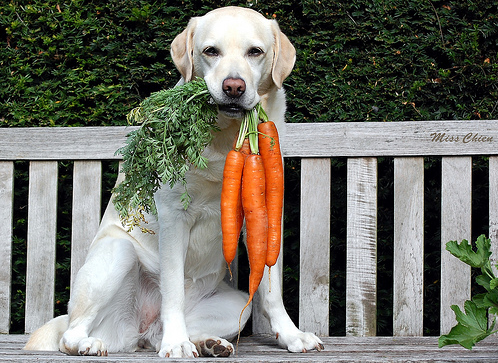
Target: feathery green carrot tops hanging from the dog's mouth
{"points": [[175, 126]]}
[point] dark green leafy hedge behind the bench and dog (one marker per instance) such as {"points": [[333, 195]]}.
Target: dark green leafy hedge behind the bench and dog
{"points": [[88, 62]]}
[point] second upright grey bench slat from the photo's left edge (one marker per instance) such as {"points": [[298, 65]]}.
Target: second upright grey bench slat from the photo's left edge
{"points": [[40, 258]]}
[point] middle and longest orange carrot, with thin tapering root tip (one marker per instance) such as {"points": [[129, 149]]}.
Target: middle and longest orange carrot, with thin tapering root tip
{"points": [[254, 205]]}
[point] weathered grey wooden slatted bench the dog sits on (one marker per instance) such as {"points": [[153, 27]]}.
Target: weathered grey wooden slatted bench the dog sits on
{"points": [[361, 144]]}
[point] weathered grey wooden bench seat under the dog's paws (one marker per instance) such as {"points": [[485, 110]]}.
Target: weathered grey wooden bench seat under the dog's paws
{"points": [[265, 349]]}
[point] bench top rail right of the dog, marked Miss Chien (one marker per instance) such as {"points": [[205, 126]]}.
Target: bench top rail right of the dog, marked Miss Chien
{"points": [[411, 138]]}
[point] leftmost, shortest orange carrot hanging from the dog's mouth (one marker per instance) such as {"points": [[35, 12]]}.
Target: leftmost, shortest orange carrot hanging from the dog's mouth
{"points": [[231, 208]]}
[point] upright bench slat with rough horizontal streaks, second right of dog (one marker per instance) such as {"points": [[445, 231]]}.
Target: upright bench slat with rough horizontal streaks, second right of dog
{"points": [[361, 254]]}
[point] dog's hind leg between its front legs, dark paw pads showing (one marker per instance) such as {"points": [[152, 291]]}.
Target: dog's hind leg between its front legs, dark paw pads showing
{"points": [[214, 321]]}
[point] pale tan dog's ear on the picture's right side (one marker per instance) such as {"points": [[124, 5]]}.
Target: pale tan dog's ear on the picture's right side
{"points": [[284, 56]]}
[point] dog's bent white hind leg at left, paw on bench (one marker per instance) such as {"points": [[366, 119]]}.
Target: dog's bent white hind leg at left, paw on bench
{"points": [[104, 296]]}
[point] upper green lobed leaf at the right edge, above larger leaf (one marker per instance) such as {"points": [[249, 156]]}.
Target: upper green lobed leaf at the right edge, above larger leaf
{"points": [[465, 252]]}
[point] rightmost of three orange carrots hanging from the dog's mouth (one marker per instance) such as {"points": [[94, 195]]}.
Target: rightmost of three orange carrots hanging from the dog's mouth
{"points": [[269, 148]]}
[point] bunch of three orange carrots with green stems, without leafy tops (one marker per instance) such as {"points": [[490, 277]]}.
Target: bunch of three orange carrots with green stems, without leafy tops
{"points": [[253, 189]]}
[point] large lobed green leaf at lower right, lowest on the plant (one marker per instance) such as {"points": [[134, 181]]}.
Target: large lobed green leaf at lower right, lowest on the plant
{"points": [[472, 326]]}
